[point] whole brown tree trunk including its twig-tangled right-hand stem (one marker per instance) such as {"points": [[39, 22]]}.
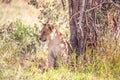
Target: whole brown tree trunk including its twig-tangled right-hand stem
{"points": [[79, 26]]}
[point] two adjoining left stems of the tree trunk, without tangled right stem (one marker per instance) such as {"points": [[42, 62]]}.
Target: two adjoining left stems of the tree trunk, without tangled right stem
{"points": [[77, 38]]}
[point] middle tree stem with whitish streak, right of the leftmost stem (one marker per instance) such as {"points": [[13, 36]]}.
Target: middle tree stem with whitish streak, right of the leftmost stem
{"points": [[80, 29]]}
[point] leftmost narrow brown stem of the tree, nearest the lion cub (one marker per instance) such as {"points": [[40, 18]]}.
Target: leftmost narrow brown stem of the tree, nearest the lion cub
{"points": [[73, 30]]}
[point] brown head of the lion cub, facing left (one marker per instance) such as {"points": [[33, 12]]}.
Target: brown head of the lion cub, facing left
{"points": [[45, 32]]}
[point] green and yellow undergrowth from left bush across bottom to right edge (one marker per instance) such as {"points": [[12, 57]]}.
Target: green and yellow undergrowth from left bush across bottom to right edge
{"points": [[21, 53]]}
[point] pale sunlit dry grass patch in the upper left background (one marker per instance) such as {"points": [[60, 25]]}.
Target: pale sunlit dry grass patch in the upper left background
{"points": [[18, 9]]}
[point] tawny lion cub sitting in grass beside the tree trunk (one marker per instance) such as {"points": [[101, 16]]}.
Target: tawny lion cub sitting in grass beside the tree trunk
{"points": [[58, 46]]}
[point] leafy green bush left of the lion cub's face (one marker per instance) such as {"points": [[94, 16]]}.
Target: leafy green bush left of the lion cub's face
{"points": [[23, 36]]}
